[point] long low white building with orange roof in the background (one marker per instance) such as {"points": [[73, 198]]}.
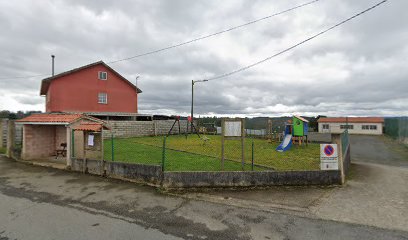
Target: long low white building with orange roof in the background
{"points": [[355, 125]]}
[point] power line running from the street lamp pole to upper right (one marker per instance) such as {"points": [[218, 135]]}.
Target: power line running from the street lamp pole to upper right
{"points": [[296, 45]]}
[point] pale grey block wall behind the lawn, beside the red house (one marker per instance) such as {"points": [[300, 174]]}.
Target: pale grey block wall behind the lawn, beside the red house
{"points": [[143, 128]]}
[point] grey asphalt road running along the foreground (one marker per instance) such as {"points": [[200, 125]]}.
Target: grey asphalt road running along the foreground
{"points": [[42, 203]]}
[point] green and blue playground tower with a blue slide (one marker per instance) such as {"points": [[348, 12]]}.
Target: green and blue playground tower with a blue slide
{"points": [[295, 133]]}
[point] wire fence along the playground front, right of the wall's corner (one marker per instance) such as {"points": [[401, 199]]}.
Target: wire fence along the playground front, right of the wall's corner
{"points": [[194, 153]]}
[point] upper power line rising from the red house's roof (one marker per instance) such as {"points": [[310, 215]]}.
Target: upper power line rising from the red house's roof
{"points": [[213, 34]]}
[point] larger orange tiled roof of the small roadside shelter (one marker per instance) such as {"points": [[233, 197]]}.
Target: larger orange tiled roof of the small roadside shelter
{"points": [[51, 118]]}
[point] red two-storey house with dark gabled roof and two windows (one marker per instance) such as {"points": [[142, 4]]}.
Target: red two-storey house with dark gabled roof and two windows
{"points": [[94, 89]]}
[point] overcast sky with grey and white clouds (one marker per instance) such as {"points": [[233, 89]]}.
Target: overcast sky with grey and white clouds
{"points": [[357, 69]]}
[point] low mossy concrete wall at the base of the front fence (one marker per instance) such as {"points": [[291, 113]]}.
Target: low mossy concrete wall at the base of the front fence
{"points": [[154, 175]]}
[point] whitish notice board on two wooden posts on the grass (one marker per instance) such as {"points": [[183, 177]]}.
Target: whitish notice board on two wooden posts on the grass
{"points": [[233, 129]]}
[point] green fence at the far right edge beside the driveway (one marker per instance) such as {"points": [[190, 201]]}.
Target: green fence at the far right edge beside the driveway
{"points": [[397, 128]]}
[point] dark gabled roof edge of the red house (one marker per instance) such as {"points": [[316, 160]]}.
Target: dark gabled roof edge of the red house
{"points": [[45, 83]]}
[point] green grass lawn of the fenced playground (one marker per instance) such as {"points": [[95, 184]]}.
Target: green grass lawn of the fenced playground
{"points": [[193, 154]]}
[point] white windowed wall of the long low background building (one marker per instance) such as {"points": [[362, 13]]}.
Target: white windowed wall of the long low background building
{"points": [[357, 129]]}
